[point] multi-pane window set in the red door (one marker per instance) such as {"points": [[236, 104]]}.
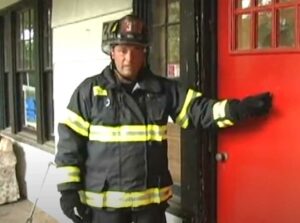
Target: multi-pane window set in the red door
{"points": [[262, 25]]}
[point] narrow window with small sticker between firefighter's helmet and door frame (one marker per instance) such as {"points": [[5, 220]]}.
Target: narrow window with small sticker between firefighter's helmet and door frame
{"points": [[164, 51]]}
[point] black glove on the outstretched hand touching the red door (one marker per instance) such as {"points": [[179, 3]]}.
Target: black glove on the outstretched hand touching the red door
{"points": [[255, 105]]}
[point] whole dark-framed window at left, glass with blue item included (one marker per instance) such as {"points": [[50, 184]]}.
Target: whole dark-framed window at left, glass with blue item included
{"points": [[28, 45]]}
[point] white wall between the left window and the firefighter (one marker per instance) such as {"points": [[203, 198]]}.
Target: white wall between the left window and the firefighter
{"points": [[77, 55]]}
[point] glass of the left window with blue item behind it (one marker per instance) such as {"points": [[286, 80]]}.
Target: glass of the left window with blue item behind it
{"points": [[26, 68]]}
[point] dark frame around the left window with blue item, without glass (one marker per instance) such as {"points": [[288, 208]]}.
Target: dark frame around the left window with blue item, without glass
{"points": [[44, 76]]}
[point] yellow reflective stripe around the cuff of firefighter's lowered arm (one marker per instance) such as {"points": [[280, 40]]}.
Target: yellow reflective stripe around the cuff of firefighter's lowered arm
{"points": [[68, 174]]}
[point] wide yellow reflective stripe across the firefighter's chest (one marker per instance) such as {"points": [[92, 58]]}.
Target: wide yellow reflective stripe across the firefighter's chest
{"points": [[128, 133]]}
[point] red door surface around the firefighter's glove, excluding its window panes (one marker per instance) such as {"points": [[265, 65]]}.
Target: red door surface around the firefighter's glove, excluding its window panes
{"points": [[259, 183]]}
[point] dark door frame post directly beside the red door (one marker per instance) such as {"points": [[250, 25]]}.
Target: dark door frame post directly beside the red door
{"points": [[208, 71]]}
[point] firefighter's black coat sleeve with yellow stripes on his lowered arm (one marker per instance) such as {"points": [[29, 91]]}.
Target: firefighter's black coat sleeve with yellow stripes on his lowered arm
{"points": [[71, 147]]}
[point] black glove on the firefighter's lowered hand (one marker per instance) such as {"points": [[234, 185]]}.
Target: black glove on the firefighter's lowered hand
{"points": [[73, 208]]}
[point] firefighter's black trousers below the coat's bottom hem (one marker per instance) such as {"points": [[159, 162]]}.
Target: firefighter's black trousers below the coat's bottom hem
{"points": [[147, 214]]}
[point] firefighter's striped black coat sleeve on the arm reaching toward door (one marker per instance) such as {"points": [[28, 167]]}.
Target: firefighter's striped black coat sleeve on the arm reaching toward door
{"points": [[191, 109]]}
